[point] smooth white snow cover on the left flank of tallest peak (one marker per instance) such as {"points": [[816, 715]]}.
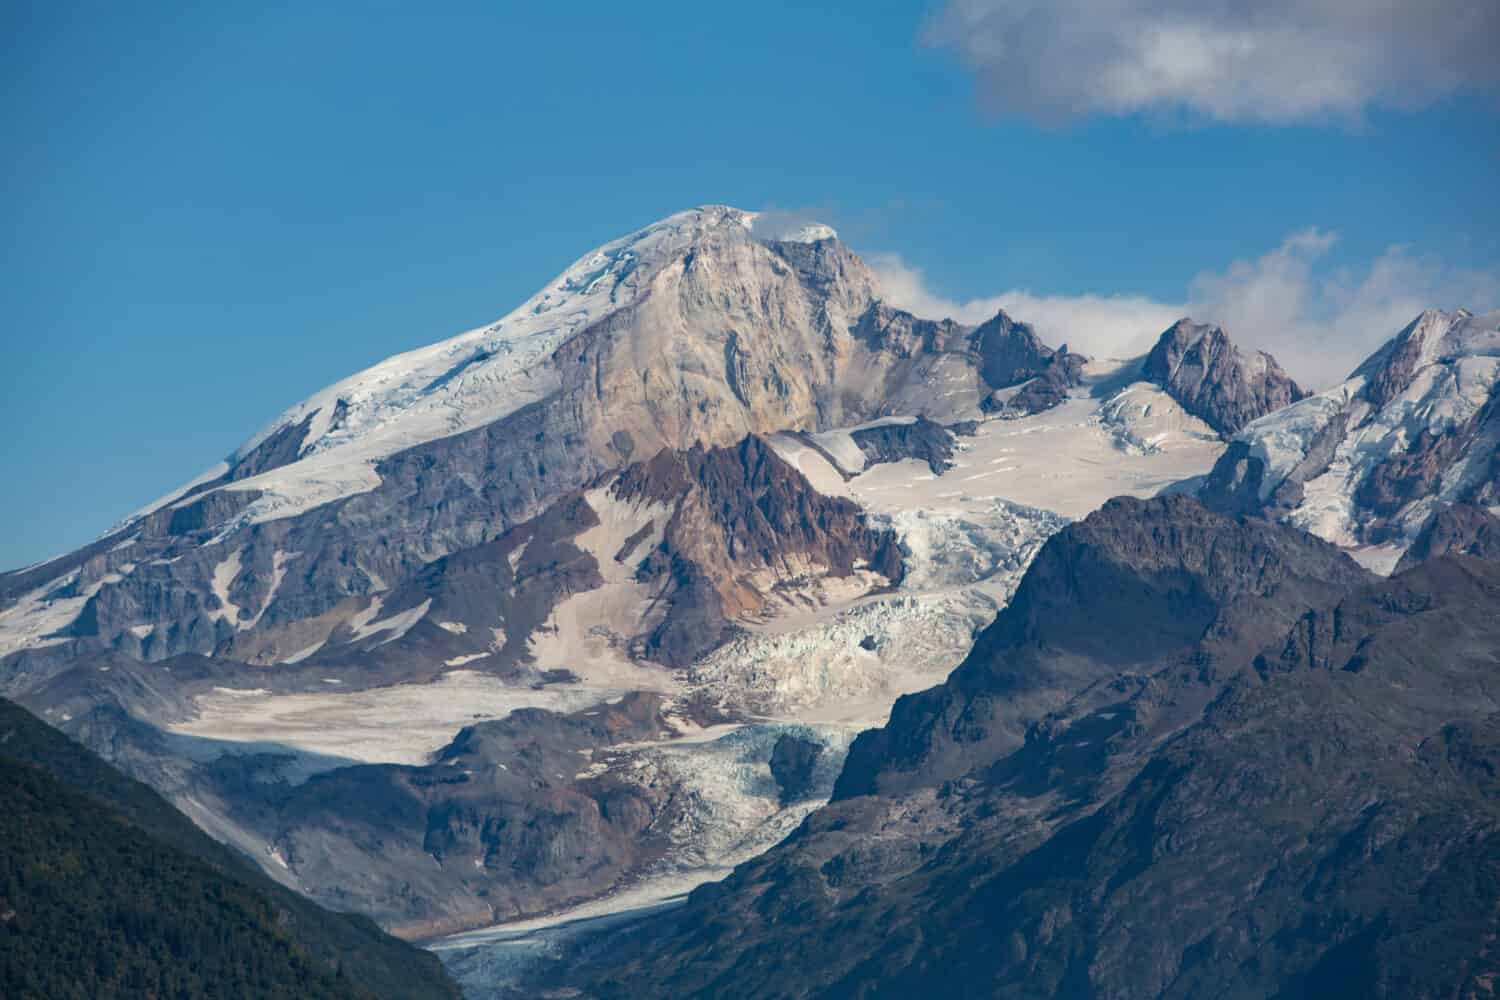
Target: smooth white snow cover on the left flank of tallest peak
{"points": [[328, 446]]}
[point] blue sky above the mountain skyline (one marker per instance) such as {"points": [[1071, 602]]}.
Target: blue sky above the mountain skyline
{"points": [[212, 214]]}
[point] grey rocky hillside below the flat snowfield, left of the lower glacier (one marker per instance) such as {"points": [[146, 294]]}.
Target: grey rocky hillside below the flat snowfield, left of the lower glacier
{"points": [[506, 821]]}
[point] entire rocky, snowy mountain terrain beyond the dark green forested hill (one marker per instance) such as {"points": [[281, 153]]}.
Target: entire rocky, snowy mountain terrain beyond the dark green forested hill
{"points": [[815, 648]]}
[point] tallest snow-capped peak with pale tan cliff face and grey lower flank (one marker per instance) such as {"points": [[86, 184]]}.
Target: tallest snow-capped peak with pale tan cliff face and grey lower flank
{"points": [[691, 332]]}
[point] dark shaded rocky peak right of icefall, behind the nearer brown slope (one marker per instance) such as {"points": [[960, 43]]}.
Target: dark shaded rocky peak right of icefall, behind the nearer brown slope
{"points": [[1133, 585]]}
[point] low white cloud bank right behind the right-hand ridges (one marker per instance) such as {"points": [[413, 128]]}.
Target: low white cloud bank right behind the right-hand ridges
{"points": [[1319, 323]]}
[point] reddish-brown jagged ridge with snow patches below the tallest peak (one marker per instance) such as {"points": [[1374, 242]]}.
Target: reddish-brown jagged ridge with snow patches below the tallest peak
{"points": [[712, 536]]}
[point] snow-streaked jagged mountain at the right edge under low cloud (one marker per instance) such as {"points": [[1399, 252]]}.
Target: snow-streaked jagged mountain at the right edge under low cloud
{"points": [[1369, 463]]}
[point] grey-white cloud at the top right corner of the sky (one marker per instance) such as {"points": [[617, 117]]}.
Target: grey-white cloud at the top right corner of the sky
{"points": [[1273, 61]]}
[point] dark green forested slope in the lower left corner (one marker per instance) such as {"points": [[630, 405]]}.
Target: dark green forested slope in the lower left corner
{"points": [[106, 890]]}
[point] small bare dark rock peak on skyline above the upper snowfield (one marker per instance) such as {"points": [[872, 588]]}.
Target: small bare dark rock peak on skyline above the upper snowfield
{"points": [[1198, 365]]}
